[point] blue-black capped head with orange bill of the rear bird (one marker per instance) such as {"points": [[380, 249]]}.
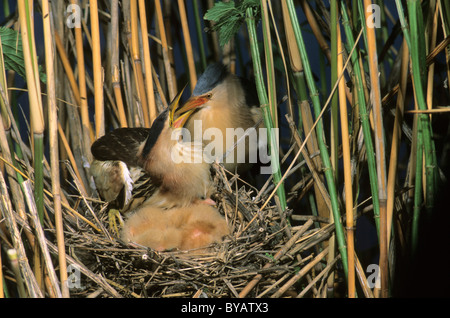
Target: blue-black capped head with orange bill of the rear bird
{"points": [[209, 85]]}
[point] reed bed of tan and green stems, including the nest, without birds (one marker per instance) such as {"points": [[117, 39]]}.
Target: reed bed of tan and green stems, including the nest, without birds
{"points": [[360, 99]]}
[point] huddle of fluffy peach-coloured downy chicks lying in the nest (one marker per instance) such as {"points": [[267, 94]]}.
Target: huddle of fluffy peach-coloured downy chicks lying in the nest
{"points": [[184, 228]]}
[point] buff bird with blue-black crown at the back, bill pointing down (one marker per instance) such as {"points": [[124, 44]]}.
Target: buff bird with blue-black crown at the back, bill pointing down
{"points": [[225, 106]]}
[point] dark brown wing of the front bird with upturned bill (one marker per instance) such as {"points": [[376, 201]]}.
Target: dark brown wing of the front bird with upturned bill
{"points": [[121, 144]]}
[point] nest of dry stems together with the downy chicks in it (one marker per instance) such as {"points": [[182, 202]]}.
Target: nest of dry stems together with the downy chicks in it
{"points": [[251, 239]]}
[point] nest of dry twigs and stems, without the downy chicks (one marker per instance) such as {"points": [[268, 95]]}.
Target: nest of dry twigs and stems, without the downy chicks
{"points": [[264, 256]]}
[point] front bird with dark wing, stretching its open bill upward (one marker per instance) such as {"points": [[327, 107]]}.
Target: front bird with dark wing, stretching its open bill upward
{"points": [[152, 165]]}
